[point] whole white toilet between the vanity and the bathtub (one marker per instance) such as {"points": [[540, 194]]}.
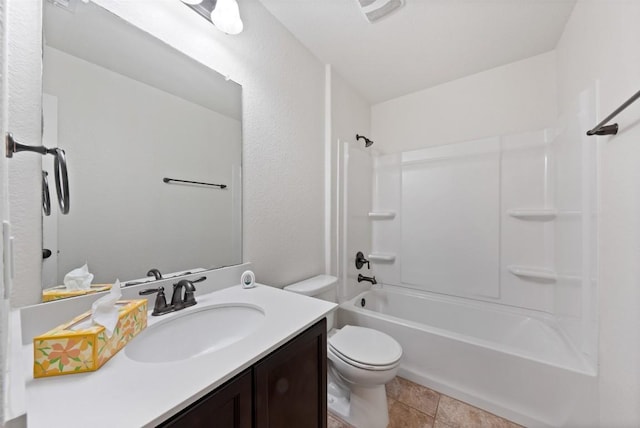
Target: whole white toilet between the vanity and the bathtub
{"points": [[360, 362]]}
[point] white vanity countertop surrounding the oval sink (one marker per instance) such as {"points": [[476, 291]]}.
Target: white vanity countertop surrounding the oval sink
{"points": [[127, 393]]}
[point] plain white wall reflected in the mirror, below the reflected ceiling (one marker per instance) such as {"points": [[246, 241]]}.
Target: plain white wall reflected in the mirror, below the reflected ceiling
{"points": [[121, 207]]}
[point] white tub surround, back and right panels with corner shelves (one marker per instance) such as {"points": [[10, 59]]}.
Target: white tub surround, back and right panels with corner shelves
{"points": [[507, 220]]}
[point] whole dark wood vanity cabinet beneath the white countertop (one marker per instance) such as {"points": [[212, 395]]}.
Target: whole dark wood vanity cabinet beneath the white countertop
{"points": [[287, 388]]}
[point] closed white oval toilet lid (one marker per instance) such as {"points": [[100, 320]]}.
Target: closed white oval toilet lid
{"points": [[366, 346]]}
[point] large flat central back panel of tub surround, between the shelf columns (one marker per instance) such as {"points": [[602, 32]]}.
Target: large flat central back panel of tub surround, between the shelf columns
{"points": [[450, 236]]}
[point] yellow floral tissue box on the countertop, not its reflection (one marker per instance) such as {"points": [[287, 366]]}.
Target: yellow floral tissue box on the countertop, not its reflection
{"points": [[79, 346]]}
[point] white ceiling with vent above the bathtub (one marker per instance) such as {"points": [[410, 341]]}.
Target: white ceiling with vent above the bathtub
{"points": [[423, 44]]}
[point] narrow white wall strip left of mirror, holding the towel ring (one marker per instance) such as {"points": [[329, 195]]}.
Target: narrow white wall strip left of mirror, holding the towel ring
{"points": [[24, 39]]}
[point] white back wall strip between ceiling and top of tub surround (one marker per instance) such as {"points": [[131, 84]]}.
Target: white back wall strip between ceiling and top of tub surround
{"points": [[516, 97]]}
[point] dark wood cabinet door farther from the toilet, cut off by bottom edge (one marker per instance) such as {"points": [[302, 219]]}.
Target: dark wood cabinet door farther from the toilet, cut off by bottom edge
{"points": [[229, 406]]}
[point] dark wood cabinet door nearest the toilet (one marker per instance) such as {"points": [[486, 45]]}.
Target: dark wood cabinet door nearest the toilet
{"points": [[290, 385]]}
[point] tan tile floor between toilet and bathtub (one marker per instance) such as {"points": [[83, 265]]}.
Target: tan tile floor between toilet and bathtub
{"points": [[414, 406]]}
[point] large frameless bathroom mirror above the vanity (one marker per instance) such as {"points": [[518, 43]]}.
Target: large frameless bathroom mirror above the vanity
{"points": [[131, 111]]}
